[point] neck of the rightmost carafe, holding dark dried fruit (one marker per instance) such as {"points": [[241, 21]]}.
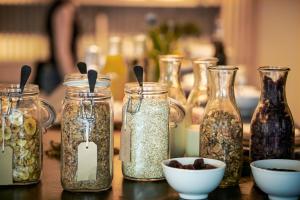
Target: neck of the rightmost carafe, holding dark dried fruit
{"points": [[273, 83]]}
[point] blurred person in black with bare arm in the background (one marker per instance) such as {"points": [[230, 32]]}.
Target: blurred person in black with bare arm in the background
{"points": [[62, 30]]}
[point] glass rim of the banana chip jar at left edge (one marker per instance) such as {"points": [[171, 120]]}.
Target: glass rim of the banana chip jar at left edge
{"points": [[14, 89]]}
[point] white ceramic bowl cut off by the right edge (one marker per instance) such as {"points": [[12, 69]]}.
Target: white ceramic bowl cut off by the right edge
{"points": [[279, 185]]}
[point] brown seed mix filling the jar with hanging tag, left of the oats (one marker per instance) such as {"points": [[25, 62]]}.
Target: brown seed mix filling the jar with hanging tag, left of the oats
{"points": [[73, 133]]}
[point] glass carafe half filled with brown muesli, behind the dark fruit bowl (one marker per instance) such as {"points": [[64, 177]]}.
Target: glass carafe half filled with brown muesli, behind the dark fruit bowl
{"points": [[221, 130]]}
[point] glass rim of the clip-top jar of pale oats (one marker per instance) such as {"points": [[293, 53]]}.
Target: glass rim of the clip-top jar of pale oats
{"points": [[148, 88]]}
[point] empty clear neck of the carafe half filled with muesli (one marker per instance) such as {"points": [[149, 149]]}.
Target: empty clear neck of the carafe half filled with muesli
{"points": [[222, 83]]}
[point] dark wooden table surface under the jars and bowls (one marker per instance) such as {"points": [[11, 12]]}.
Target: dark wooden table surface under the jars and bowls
{"points": [[50, 188]]}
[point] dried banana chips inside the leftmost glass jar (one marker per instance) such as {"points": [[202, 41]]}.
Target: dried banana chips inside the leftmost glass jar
{"points": [[23, 134]]}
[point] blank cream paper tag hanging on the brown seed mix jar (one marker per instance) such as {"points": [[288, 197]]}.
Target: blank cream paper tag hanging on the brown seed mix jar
{"points": [[87, 162]]}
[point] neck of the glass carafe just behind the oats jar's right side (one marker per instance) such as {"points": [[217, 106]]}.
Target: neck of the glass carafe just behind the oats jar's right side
{"points": [[169, 72]]}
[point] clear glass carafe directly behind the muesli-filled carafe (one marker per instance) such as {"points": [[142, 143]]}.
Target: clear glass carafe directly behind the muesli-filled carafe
{"points": [[196, 103]]}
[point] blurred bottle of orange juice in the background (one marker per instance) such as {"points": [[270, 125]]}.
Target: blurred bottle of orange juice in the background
{"points": [[116, 68]]}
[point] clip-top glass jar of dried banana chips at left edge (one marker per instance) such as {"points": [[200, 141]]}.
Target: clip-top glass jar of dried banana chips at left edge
{"points": [[24, 117]]}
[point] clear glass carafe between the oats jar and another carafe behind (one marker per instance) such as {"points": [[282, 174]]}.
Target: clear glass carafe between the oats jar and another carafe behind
{"points": [[169, 74]]}
